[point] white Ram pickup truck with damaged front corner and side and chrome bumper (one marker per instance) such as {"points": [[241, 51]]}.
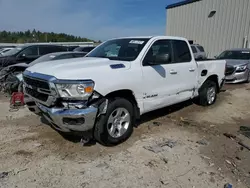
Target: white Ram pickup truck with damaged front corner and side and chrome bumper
{"points": [[107, 91]]}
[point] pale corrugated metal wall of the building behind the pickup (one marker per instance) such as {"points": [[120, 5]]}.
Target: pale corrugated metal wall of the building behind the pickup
{"points": [[225, 30]]}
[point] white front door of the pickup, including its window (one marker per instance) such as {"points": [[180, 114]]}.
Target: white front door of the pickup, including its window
{"points": [[160, 77]]}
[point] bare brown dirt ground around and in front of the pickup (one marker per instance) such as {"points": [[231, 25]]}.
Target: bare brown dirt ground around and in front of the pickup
{"points": [[194, 152]]}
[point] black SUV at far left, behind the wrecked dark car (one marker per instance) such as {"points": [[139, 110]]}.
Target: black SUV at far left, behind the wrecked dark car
{"points": [[27, 53]]}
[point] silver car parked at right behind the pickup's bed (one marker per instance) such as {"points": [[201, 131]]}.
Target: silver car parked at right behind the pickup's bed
{"points": [[238, 65]]}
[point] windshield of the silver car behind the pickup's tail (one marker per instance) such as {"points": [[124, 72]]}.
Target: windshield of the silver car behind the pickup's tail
{"points": [[243, 55]]}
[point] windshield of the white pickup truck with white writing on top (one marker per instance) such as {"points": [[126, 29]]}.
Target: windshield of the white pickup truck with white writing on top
{"points": [[120, 49]]}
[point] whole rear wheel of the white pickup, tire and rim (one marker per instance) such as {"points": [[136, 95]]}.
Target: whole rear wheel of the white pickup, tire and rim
{"points": [[208, 93]]}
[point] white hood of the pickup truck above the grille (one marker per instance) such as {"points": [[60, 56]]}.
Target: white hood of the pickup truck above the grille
{"points": [[79, 68]]}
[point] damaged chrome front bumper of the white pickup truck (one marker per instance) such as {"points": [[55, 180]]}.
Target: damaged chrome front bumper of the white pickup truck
{"points": [[70, 120]]}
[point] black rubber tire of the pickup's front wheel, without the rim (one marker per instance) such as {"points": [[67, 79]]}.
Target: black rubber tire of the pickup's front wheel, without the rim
{"points": [[101, 133]]}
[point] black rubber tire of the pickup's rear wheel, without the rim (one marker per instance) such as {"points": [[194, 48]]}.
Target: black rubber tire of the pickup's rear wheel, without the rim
{"points": [[203, 98]]}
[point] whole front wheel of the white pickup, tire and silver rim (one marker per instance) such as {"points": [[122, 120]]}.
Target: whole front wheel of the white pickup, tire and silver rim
{"points": [[117, 124]]}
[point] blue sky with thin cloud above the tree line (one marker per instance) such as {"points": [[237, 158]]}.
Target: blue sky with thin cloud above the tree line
{"points": [[94, 19]]}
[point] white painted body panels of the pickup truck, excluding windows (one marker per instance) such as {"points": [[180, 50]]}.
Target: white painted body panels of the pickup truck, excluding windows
{"points": [[142, 80]]}
